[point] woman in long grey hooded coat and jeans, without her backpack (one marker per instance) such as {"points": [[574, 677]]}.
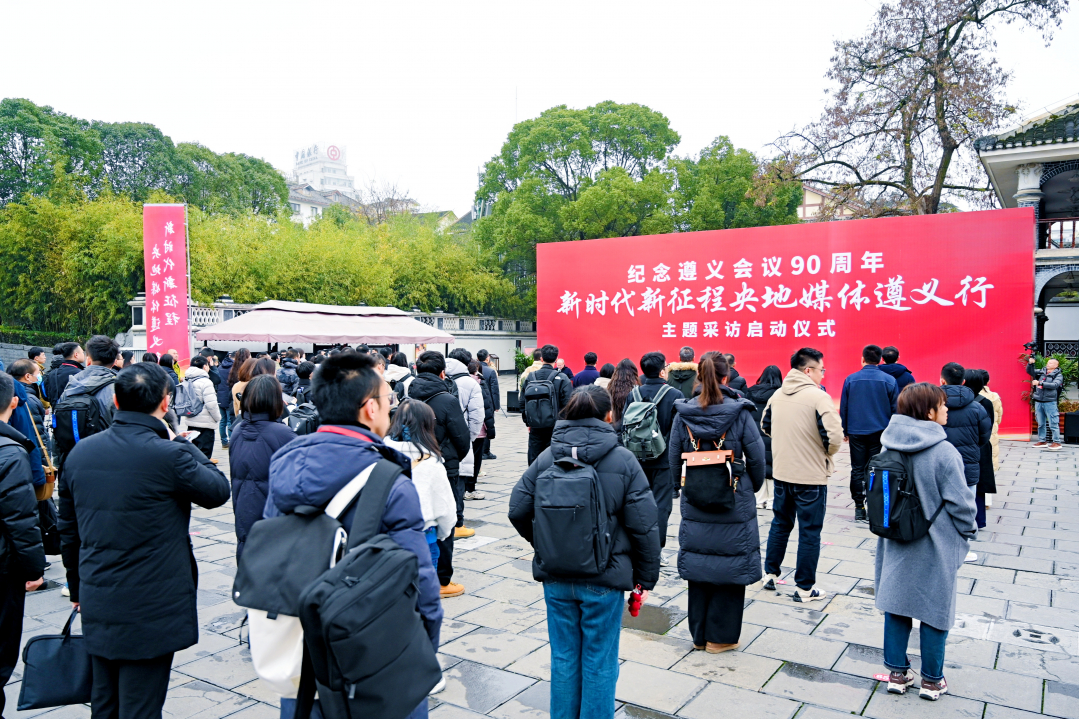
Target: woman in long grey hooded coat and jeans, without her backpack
{"points": [[918, 579]]}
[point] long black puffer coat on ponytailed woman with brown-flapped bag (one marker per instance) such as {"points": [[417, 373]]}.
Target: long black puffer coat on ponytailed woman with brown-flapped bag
{"points": [[720, 548]]}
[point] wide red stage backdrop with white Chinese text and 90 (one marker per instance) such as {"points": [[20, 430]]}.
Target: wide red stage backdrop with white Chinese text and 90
{"points": [[955, 288]]}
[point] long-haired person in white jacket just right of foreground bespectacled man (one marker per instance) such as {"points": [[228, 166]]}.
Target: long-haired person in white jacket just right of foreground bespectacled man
{"points": [[413, 433]]}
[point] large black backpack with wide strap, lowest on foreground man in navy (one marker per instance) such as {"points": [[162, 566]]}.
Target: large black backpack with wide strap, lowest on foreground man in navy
{"points": [[368, 649]]}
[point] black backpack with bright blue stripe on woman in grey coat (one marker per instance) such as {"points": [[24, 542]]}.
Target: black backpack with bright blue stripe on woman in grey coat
{"points": [[892, 499]]}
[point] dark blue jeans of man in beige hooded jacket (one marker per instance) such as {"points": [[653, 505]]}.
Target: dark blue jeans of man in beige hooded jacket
{"points": [[807, 505]]}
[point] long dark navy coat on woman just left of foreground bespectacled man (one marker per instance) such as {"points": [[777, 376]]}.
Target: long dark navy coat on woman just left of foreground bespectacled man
{"points": [[252, 446]]}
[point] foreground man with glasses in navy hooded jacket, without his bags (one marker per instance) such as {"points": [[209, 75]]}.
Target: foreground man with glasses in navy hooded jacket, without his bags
{"points": [[353, 403]]}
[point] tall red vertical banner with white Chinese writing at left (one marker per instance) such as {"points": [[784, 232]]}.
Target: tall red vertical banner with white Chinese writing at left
{"points": [[166, 259]]}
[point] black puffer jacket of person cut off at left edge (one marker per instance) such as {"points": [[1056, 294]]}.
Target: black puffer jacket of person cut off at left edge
{"points": [[22, 555]]}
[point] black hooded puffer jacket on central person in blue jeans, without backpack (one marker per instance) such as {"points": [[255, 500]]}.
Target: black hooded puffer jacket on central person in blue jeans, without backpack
{"points": [[635, 557]]}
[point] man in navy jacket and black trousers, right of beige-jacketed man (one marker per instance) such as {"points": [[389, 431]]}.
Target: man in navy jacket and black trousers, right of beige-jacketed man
{"points": [[866, 408]]}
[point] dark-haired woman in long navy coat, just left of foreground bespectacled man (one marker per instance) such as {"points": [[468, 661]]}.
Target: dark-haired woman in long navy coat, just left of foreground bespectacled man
{"points": [[255, 439]]}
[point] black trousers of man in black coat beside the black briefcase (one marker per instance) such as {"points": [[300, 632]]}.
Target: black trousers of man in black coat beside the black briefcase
{"points": [[130, 690]]}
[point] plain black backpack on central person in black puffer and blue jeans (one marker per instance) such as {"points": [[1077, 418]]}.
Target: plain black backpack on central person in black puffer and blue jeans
{"points": [[571, 532]]}
